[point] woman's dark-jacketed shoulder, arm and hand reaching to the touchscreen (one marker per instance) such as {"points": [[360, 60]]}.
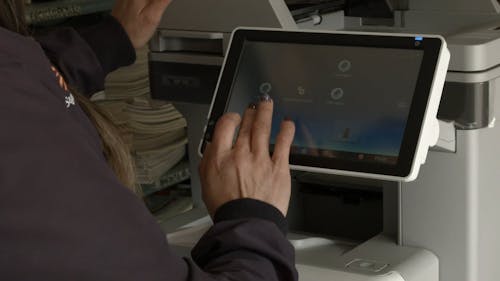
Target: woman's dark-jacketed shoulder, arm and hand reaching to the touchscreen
{"points": [[65, 216]]}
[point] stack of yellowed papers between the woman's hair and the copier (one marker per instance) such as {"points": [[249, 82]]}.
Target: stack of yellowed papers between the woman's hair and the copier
{"points": [[154, 129]]}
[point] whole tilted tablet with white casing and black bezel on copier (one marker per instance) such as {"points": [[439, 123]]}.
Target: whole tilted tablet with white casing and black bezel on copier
{"points": [[359, 101]]}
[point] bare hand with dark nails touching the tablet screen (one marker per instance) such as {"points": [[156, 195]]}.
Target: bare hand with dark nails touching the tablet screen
{"points": [[246, 170]]}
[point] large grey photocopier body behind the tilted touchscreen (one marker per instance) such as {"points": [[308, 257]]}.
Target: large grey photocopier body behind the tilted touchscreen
{"points": [[443, 226]]}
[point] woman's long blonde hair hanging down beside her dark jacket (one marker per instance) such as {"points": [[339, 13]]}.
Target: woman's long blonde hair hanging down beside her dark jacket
{"points": [[114, 148]]}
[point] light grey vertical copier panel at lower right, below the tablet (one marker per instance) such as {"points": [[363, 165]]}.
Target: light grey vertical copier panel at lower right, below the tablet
{"points": [[452, 208]]}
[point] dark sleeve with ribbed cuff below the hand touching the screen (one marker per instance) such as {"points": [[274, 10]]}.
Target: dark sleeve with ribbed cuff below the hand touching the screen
{"points": [[247, 242]]}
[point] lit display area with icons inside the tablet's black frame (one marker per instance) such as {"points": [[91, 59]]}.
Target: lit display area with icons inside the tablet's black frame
{"points": [[350, 103]]}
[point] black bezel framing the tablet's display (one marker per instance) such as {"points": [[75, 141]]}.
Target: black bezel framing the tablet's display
{"points": [[429, 45]]}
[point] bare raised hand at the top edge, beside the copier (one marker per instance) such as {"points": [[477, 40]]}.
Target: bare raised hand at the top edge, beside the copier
{"points": [[139, 18]]}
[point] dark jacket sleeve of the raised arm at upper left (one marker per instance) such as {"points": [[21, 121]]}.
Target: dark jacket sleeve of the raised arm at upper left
{"points": [[85, 56]]}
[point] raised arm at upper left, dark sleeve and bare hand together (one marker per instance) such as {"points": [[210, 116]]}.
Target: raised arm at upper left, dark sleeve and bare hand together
{"points": [[87, 55]]}
